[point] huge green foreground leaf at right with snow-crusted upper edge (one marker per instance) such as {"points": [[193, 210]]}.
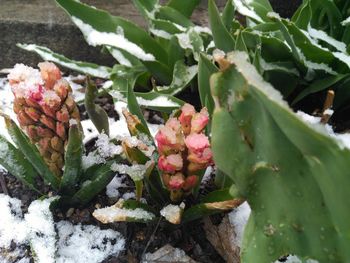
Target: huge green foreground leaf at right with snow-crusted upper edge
{"points": [[295, 177]]}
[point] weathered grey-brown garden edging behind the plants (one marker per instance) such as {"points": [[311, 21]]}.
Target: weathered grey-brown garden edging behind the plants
{"points": [[42, 22]]}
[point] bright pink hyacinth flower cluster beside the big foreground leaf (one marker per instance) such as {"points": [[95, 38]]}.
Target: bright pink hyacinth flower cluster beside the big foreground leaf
{"points": [[184, 149]]}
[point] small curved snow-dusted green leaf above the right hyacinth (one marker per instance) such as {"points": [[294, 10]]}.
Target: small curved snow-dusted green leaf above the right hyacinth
{"points": [[182, 77]]}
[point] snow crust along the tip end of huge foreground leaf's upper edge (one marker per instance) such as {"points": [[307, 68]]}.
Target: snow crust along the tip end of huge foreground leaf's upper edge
{"points": [[240, 59]]}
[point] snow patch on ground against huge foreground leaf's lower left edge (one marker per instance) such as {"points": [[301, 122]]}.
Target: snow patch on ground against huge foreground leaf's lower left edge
{"points": [[238, 219]]}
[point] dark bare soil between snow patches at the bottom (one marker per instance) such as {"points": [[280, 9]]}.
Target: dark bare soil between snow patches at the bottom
{"points": [[140, 238]]}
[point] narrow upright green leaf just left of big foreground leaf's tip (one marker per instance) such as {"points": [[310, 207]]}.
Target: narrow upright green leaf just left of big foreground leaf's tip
{"points": [[205, 69]]}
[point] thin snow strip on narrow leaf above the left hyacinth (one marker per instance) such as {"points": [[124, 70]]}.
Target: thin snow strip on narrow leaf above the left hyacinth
{"points": [[46, 54]]}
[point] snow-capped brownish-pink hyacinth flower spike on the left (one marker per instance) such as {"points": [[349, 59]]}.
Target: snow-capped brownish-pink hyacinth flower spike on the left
{"points": [[44, 106]]}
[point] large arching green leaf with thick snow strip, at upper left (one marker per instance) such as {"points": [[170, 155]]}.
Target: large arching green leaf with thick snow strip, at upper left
{"points": [[101, 28]]}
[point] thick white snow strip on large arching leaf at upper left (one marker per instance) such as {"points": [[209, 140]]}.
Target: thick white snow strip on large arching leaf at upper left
{"points": [[95, 38]]}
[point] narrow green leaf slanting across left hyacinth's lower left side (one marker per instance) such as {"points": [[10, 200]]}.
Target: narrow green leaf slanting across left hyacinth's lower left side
{"points": [[30, 151]]}
